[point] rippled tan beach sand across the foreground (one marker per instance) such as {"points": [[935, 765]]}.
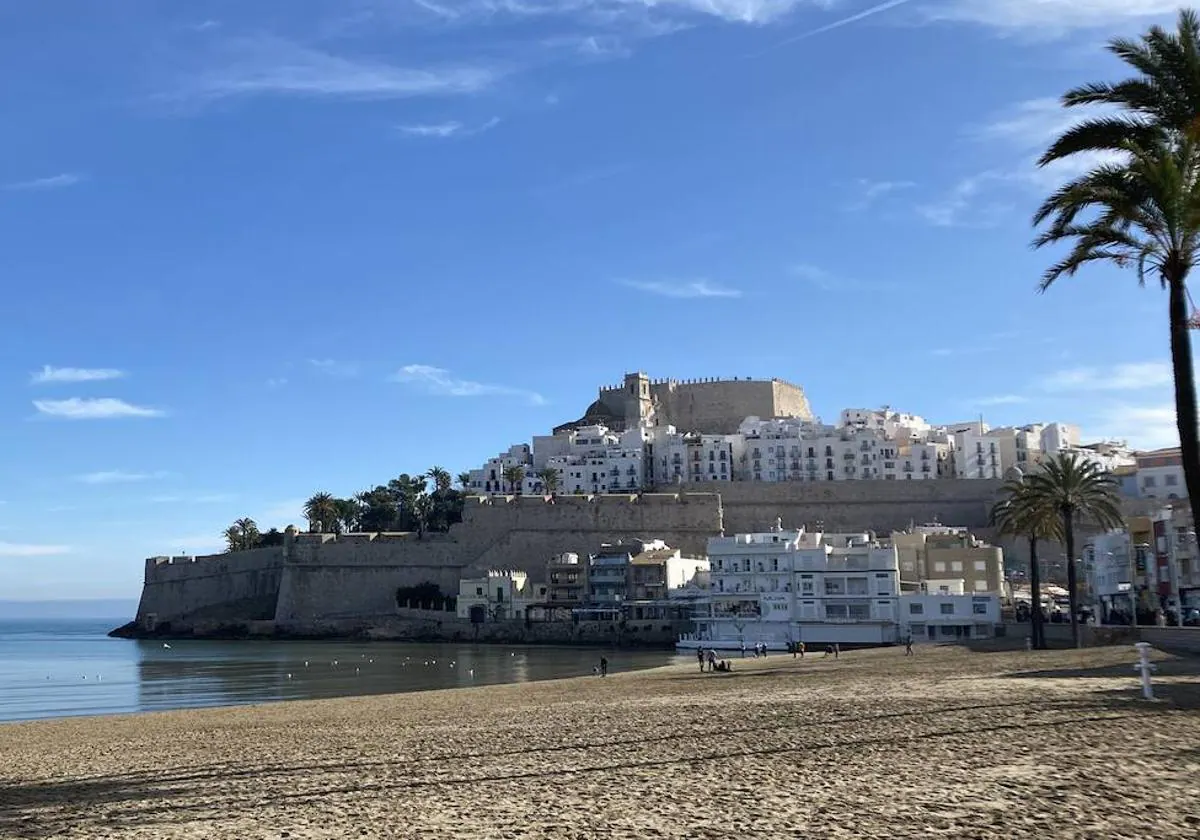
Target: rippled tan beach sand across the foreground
{"points": [[944, 745]]}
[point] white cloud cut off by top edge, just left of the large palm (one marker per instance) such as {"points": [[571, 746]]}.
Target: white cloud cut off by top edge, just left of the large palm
{"points": [[1047, 17]]}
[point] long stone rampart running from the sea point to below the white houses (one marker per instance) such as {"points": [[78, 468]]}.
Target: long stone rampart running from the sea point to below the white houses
{"points": [[321, 577]]}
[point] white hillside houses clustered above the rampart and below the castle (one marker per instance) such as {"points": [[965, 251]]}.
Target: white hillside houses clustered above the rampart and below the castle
{"points": [[641, 451]]}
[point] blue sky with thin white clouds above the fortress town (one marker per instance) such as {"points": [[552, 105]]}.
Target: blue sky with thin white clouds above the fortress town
{"points": [[259, 249]]}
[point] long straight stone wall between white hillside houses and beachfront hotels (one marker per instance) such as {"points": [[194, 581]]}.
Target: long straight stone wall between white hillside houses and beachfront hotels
{"points": [[856, 506]]}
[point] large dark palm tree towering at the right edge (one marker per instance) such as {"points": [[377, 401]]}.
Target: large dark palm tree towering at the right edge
{"points": [[1141, 206]]}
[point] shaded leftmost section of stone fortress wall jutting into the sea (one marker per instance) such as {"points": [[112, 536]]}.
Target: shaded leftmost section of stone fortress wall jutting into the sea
{"points": [[182, 586]]}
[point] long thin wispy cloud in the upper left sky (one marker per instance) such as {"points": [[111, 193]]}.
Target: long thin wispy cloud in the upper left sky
{"points": [[269, 67]]}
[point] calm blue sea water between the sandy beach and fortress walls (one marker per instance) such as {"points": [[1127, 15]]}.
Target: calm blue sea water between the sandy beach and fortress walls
{"points": [[51, 669]]}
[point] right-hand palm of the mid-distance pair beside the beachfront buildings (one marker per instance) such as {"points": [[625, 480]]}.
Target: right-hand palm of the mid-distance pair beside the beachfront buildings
{"points": [[1075, 490]]}
